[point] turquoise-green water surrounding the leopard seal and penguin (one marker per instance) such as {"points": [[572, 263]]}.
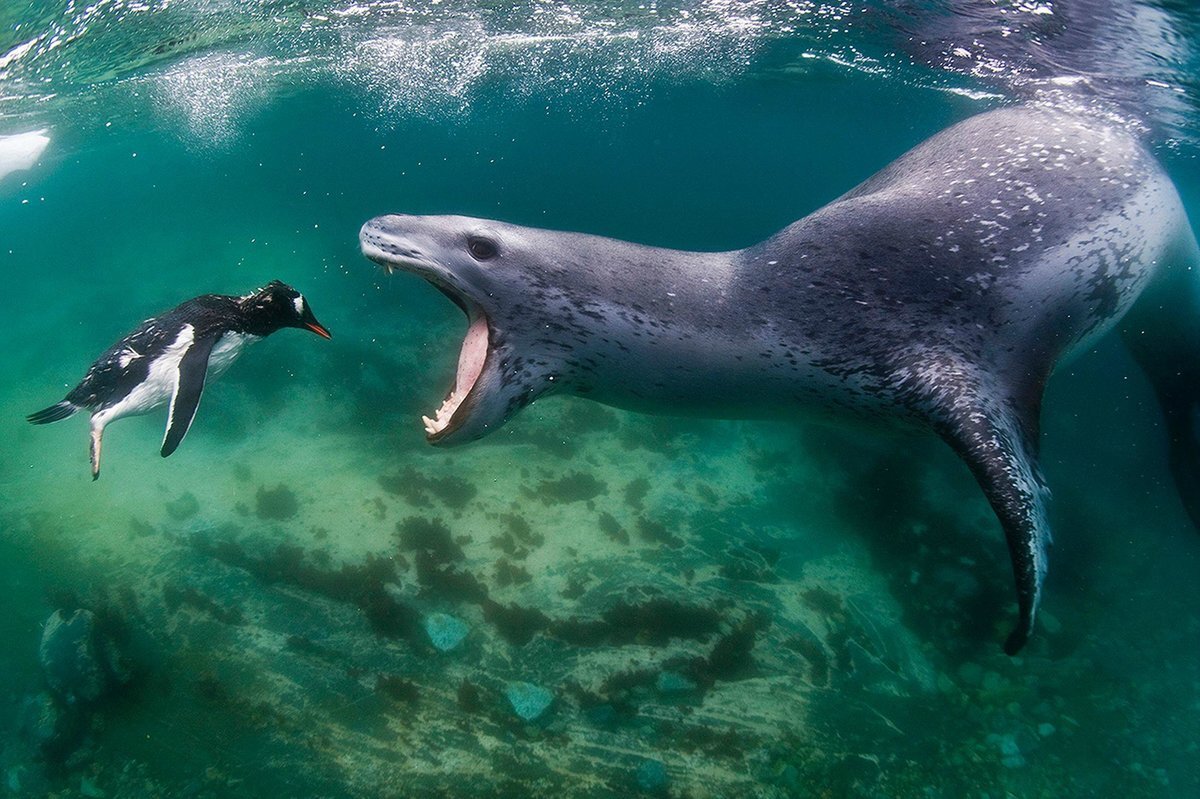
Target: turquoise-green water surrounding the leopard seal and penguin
{"points": [[713, 609]]}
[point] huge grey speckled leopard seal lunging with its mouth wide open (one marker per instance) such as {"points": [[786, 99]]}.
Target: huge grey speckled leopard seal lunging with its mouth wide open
{"points": [[943, 293]]}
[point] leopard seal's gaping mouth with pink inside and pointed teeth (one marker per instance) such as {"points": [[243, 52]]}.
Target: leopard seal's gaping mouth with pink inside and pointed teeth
{"points": [[476, 347]]}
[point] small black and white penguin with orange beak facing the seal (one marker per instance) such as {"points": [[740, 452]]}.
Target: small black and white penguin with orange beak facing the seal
{"points": [[171, 357]]}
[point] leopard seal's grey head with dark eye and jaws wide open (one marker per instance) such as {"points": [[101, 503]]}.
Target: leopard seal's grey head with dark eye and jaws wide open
{"points": [[482, 266]]}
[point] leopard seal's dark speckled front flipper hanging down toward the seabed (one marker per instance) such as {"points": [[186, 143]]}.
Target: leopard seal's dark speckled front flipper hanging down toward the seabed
{"points": [[997, 437]]}
